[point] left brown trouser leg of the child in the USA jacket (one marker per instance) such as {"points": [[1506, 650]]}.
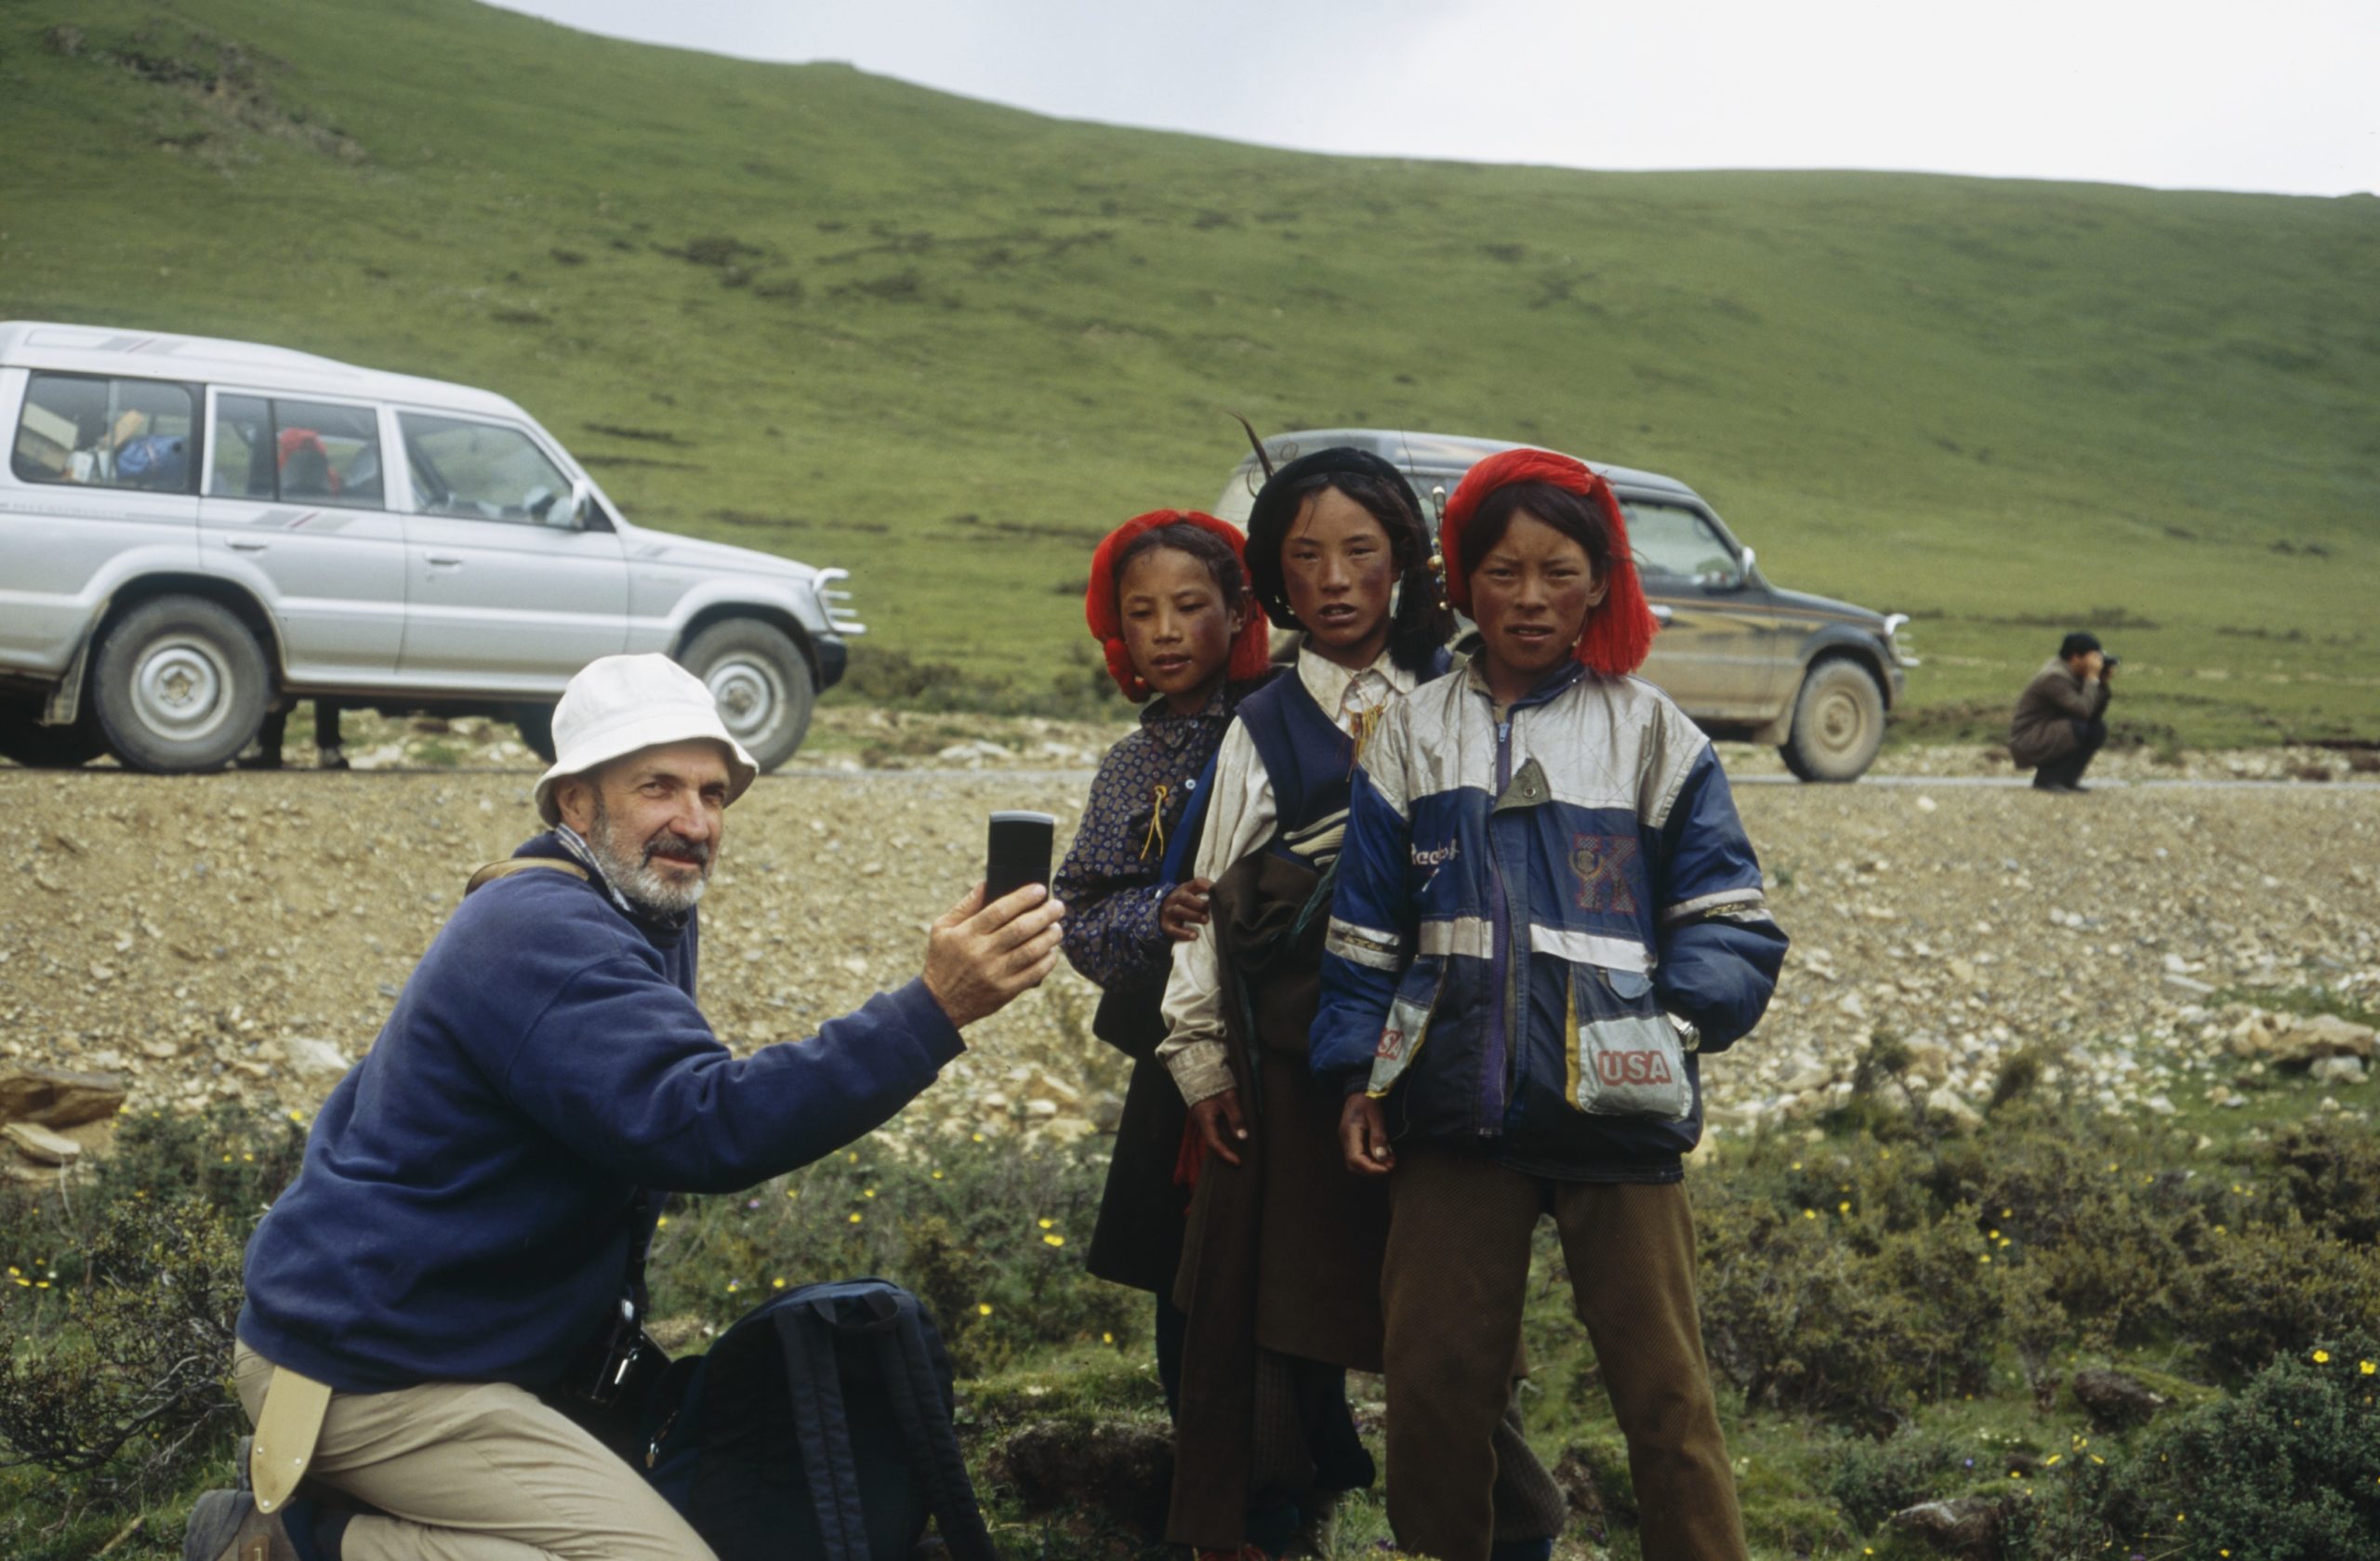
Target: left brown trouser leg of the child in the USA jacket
{"points": [[1453, 1293]]}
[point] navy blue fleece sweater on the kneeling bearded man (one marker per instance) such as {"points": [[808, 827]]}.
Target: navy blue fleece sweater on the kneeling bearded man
{"points": [[472, 1191]]}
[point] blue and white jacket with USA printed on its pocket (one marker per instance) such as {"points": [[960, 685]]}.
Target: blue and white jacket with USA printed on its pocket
{"points": [[1527, 910]]}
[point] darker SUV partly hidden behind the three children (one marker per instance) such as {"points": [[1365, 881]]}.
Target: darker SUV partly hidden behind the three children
{"points": [[1743, 658]]}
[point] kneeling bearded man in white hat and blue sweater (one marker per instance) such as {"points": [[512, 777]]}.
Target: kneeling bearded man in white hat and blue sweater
{"points": [[477, 1193]]}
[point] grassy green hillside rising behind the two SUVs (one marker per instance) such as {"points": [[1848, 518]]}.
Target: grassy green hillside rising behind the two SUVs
{"points": [[948, 344]]}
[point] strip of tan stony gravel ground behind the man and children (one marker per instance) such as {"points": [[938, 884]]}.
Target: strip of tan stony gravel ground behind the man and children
{"points": [[242, 936]]}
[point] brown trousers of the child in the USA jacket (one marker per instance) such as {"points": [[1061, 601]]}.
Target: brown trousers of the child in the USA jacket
{"points": [[1453, 1293]]}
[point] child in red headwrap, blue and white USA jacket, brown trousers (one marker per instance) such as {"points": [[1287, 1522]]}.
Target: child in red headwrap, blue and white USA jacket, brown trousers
{"points": [[1546, 908]]}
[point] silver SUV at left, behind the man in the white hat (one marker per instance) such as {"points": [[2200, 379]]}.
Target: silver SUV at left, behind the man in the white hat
{"points": [[199, 529]]}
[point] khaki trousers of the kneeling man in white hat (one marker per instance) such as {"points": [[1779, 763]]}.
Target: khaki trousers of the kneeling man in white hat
{"points": [[480, 1472]]}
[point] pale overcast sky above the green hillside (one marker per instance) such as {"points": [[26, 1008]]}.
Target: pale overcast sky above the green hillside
{"points": [[2174, 94]]}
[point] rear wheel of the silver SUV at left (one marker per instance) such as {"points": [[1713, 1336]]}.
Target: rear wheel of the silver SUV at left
{"points": [[180, 687]]}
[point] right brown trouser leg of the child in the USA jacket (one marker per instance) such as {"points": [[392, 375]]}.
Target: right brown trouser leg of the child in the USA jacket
{"points": [[1631, 1253]]}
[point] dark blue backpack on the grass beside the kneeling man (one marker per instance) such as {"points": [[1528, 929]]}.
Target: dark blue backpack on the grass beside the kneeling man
{"points": [[818, 1429]]}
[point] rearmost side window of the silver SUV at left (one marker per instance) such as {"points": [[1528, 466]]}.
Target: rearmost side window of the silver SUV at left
{"points": [[106, 434]]}
